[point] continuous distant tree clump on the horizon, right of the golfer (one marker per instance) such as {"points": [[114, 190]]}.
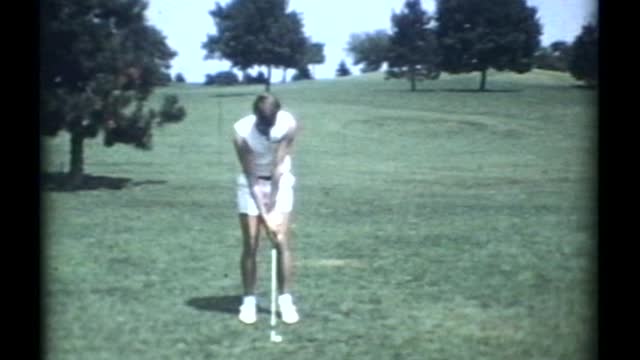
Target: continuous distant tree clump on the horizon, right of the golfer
{"points": [[470, 36]]}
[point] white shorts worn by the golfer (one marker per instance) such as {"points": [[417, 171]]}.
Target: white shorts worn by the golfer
{"points": [[284, 199]]}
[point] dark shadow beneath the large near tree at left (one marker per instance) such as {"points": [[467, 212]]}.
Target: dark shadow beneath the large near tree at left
{"points": [[59, 182]]}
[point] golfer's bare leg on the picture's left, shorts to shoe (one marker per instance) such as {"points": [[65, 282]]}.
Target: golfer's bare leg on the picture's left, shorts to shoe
{"points": [[250, 241]]}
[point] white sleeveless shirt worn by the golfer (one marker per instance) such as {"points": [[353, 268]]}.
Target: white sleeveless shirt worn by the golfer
{"points": [[263, 147]]}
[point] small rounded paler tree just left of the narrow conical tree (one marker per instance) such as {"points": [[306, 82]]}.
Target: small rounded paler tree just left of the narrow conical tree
{"points": [[369, 49]]}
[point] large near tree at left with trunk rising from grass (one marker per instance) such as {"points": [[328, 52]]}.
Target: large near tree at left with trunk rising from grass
{"points": [[99, 63]]}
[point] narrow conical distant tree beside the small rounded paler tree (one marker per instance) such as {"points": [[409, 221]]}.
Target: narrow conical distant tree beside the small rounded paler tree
{"points": [[413, 46]]}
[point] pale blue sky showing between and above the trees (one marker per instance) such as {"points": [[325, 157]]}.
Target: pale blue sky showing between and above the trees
{"points": [[187, 23]]}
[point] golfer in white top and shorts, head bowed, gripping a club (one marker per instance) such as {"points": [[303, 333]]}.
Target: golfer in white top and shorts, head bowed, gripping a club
{"points": [[263, 143]]}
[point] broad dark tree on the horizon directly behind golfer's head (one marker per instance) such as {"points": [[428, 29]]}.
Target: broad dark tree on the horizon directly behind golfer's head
{"points": [[256, 33]]}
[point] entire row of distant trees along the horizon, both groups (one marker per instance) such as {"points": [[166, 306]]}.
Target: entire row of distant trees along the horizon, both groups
{"points": [[464, 36]]}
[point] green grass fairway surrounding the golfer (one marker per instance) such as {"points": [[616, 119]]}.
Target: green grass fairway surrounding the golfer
{"points": [[442, 224]]}
